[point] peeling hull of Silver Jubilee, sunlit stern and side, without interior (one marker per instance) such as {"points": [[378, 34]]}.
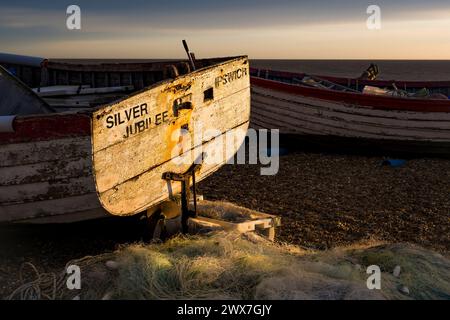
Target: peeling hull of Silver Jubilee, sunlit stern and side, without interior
{"points": [[70, 166]]}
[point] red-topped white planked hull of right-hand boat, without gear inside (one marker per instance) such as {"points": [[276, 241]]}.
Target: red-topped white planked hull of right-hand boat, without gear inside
{"points": [[403, 125]]}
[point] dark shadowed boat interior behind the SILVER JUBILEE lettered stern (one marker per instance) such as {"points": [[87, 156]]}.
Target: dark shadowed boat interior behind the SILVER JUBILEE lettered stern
{"points": [[78, 84]]}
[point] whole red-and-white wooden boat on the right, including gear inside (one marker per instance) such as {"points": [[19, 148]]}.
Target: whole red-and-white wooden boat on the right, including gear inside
{"points": [[334, 112]]}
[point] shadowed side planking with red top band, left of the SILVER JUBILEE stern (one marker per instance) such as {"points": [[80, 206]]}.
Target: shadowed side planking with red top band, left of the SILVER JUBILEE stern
{"points": [[46, 170]]}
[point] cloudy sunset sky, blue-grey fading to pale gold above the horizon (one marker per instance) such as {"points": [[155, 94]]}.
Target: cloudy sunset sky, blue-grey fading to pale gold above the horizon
{"points": [[284, 29]]}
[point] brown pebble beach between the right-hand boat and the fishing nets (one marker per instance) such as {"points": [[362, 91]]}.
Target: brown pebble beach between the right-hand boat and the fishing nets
{"points": [[341, 183]]}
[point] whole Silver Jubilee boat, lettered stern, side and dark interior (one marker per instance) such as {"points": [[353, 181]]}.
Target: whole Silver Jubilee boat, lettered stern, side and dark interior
{"points": [[124, 156]]}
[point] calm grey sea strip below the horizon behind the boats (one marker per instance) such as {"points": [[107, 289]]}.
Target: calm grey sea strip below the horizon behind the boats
{"points": [[389, 69]]}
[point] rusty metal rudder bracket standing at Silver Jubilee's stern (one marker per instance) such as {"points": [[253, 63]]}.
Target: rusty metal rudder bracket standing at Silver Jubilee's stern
{"points": [[185, 179]]}
